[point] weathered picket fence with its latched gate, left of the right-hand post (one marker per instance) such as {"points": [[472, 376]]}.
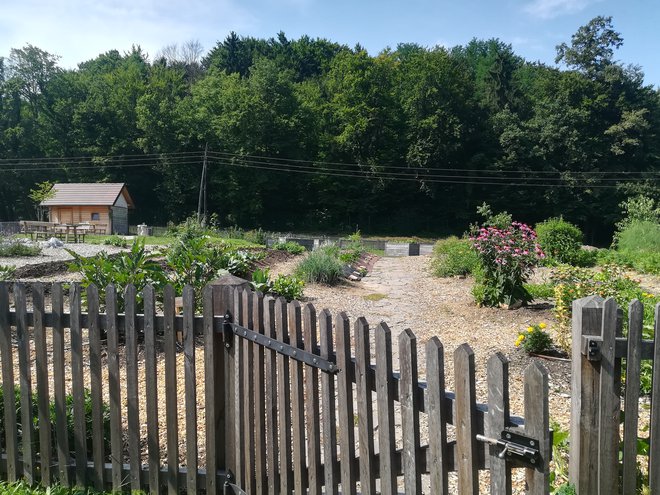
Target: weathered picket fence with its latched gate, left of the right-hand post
{"points": [[291, 400]]}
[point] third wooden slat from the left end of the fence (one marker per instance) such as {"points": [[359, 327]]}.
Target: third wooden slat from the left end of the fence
{"points": [[43, 394]]}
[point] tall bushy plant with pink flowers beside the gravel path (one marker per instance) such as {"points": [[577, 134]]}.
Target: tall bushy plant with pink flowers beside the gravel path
{"points": [[507, 258]]}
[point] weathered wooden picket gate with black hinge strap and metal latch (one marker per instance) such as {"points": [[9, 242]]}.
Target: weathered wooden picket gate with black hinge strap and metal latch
{"points": [[310, 410]]}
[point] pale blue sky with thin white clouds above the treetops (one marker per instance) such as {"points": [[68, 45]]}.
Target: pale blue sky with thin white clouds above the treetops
{"points": [[78, 30]]}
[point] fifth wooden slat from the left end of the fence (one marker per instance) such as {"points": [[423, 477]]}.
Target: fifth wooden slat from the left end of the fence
{"points": [[78, 386]]}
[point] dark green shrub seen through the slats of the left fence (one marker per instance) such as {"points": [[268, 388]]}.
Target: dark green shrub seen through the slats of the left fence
{"points": [[87, 396]]}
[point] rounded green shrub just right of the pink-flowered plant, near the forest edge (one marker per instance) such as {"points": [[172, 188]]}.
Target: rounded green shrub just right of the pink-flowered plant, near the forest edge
{"points": [[560, 240]]}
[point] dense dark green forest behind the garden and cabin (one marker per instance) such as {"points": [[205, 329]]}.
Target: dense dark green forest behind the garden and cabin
{"points": [[308, 134]]}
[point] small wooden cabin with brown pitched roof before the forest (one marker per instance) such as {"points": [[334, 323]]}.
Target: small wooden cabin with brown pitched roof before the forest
{"points": [[103, 205]]}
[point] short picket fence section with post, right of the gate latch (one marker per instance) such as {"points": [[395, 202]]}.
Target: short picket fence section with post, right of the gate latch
{"points": [[603, 449]]}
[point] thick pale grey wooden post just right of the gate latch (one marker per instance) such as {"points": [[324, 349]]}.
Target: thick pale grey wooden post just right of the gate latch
{"points": [[585, 374]]}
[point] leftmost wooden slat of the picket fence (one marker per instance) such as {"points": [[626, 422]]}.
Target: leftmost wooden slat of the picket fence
{"points": [[11, 433]]}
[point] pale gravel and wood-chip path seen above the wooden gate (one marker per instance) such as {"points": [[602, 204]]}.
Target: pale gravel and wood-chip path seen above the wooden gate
{"points": [[403, 293]]}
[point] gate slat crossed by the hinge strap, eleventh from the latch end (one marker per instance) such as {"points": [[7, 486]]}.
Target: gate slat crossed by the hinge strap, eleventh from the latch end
{"points": [[297, 401]]}
